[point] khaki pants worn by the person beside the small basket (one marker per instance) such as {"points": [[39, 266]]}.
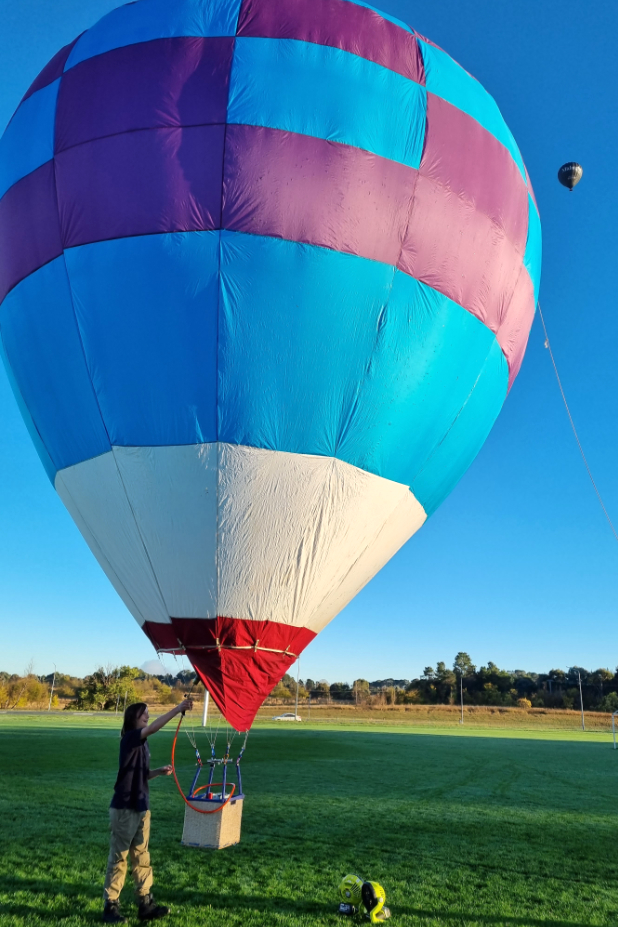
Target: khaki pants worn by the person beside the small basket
{"points": [[130, 832]]}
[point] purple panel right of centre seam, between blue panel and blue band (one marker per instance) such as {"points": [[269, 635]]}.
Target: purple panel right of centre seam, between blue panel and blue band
{"points": [[310, 190]]}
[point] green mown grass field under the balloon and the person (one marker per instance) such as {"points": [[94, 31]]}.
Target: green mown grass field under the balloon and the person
{"points": [[461, 826]]}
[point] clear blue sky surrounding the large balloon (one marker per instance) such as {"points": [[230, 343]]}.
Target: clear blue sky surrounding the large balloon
{"points": [[519, 565]]}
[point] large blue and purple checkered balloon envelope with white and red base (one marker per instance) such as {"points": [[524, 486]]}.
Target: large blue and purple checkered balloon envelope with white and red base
{"points": [[267, 274]]}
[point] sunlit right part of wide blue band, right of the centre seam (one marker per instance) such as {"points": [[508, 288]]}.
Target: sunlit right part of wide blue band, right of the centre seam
{"points": [[332, 354]]}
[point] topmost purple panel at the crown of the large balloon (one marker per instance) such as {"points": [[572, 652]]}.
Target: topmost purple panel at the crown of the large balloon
{"points": [[338, 24]]}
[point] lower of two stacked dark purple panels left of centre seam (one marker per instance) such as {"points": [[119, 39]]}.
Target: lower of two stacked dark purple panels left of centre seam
{"points": [[141, 183]]}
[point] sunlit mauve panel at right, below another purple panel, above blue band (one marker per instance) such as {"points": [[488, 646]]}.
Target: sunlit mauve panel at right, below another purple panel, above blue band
{"points": [[460, 252]]}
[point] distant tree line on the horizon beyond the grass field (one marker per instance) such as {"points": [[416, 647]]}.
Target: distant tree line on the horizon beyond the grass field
{"points": [[111, 688]]}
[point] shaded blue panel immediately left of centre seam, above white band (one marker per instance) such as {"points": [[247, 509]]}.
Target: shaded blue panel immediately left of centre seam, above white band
{"points": [[149, 331]]}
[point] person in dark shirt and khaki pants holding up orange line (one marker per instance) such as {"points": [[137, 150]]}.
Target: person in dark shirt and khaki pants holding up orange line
{"points": [[129, 814]]}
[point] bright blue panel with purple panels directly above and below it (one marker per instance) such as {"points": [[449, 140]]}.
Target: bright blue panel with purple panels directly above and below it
{"points": [[327, 93]]}
